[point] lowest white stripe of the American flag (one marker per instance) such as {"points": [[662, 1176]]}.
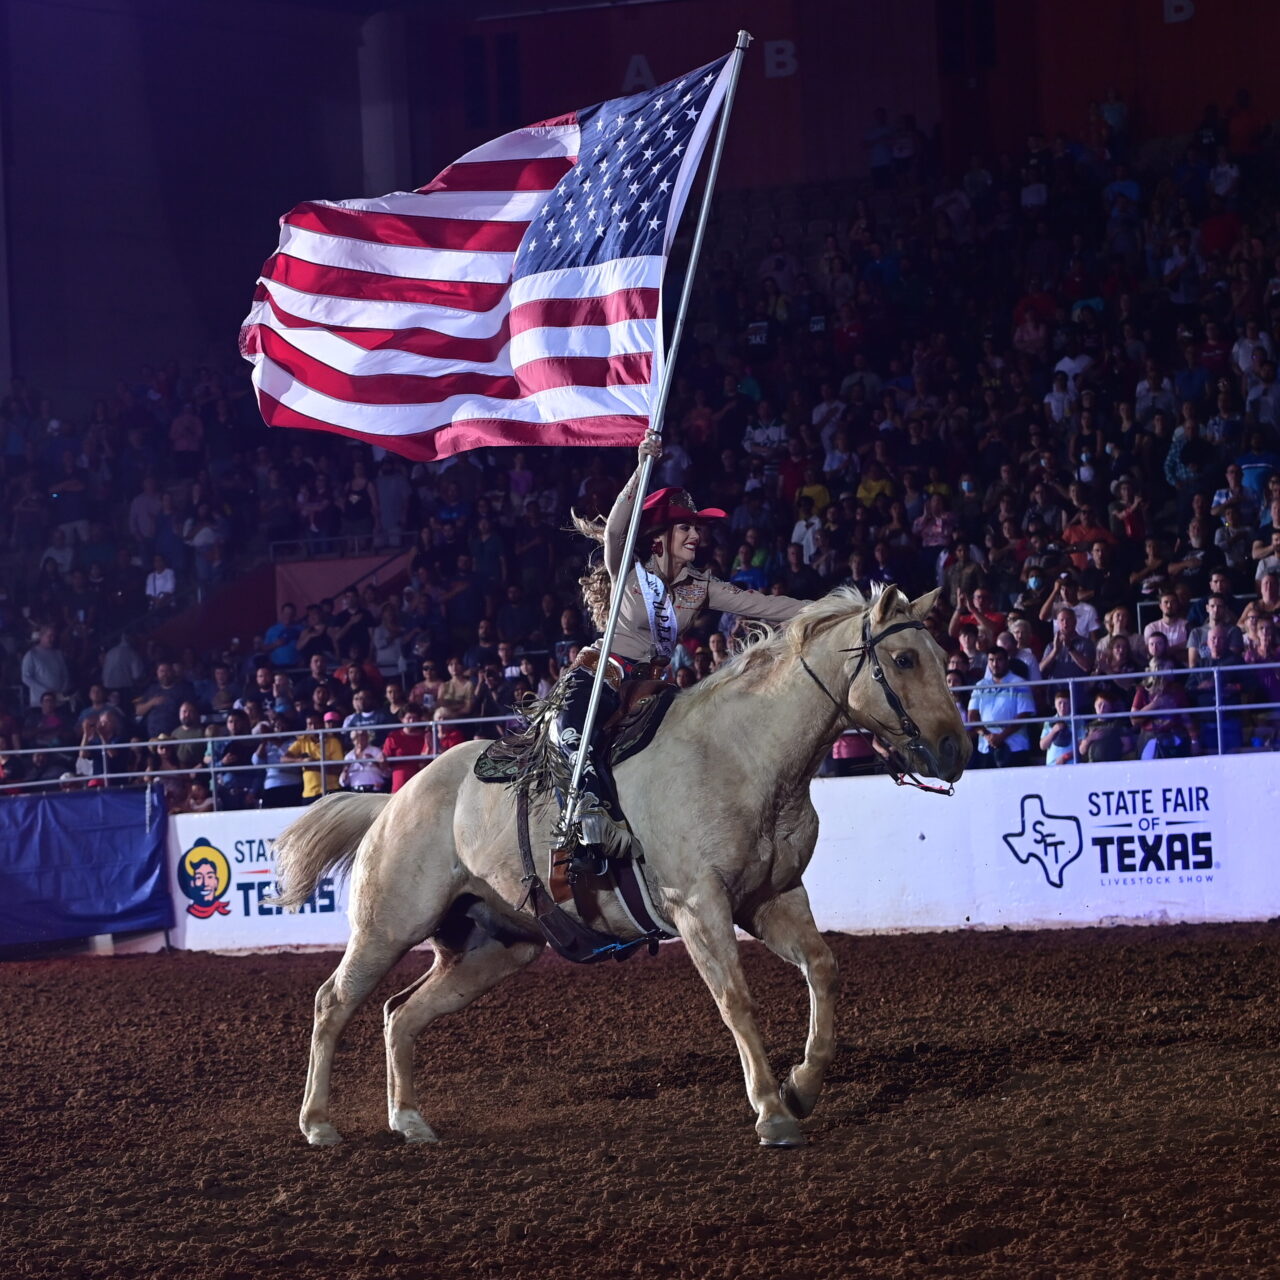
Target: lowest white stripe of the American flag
{"points": [[550, 406]]}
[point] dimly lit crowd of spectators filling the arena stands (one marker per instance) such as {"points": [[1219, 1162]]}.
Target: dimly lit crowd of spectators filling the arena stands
{"points": [[1046, 386]]}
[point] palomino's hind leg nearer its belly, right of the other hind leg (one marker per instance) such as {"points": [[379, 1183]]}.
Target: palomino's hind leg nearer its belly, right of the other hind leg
{"points": [[461, 973]]}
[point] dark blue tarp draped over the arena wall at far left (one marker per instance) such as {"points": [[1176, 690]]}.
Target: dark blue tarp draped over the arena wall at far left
{"points": [[75, 865]]}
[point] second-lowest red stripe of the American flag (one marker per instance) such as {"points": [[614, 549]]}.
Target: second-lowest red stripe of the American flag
{"points": [[540, 376]]}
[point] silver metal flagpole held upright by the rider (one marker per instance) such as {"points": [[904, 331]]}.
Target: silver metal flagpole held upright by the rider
{"points": [[656, 418]]}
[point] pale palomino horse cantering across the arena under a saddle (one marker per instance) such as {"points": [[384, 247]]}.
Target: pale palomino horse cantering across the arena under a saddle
{"points": [[720, 803]]}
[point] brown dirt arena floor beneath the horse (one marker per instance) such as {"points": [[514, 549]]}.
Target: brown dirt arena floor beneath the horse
{"points": [[1094, 1104]]}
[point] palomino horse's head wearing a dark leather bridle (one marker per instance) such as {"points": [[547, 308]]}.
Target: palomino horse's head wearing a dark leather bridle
{"points": [[898, 688]]}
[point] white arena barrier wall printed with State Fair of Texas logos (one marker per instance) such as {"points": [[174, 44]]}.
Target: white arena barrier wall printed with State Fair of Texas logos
{"points": [[1158, 842]]}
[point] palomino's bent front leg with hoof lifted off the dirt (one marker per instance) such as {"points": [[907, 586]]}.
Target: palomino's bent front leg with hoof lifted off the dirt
{"points": [[785, 925]]}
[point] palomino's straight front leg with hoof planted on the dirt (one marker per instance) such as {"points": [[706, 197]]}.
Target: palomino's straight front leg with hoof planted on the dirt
{"points": [[707, 927]]}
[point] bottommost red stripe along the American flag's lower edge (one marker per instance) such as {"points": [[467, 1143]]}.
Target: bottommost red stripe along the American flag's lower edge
{"points": [[605, 432]]}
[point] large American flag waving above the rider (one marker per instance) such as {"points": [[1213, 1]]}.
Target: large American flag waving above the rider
{"points": [[514, 300]]}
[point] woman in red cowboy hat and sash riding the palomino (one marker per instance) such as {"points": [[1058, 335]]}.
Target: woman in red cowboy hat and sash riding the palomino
{"points": [[662, 596]]}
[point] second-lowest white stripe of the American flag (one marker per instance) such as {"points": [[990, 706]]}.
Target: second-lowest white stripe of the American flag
{"points": [[628, 337]]}
